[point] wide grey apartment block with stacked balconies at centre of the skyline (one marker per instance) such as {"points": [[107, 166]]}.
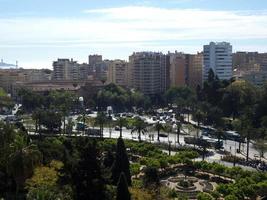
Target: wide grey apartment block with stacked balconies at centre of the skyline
{"points": [[148, 72]]}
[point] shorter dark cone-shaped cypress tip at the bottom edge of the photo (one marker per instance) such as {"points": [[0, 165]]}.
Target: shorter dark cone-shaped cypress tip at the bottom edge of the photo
{"points": [[122, 189]]}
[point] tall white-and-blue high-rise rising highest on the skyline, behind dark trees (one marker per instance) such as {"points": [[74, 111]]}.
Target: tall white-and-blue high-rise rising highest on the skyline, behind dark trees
{"points": [[218, 57]]}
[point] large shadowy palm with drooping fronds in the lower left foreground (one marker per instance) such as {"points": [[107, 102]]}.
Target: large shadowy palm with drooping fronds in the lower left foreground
{"points": [[23, 159]]}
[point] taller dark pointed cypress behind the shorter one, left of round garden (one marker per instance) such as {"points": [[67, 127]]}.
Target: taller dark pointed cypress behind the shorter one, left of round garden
{"points": [[121, 163]]}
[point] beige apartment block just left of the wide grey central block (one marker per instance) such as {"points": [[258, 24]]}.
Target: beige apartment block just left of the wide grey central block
{"points": [[117, 72]]}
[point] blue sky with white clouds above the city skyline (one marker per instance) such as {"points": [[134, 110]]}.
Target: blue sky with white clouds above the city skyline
{"points": [[37, 32]]}
